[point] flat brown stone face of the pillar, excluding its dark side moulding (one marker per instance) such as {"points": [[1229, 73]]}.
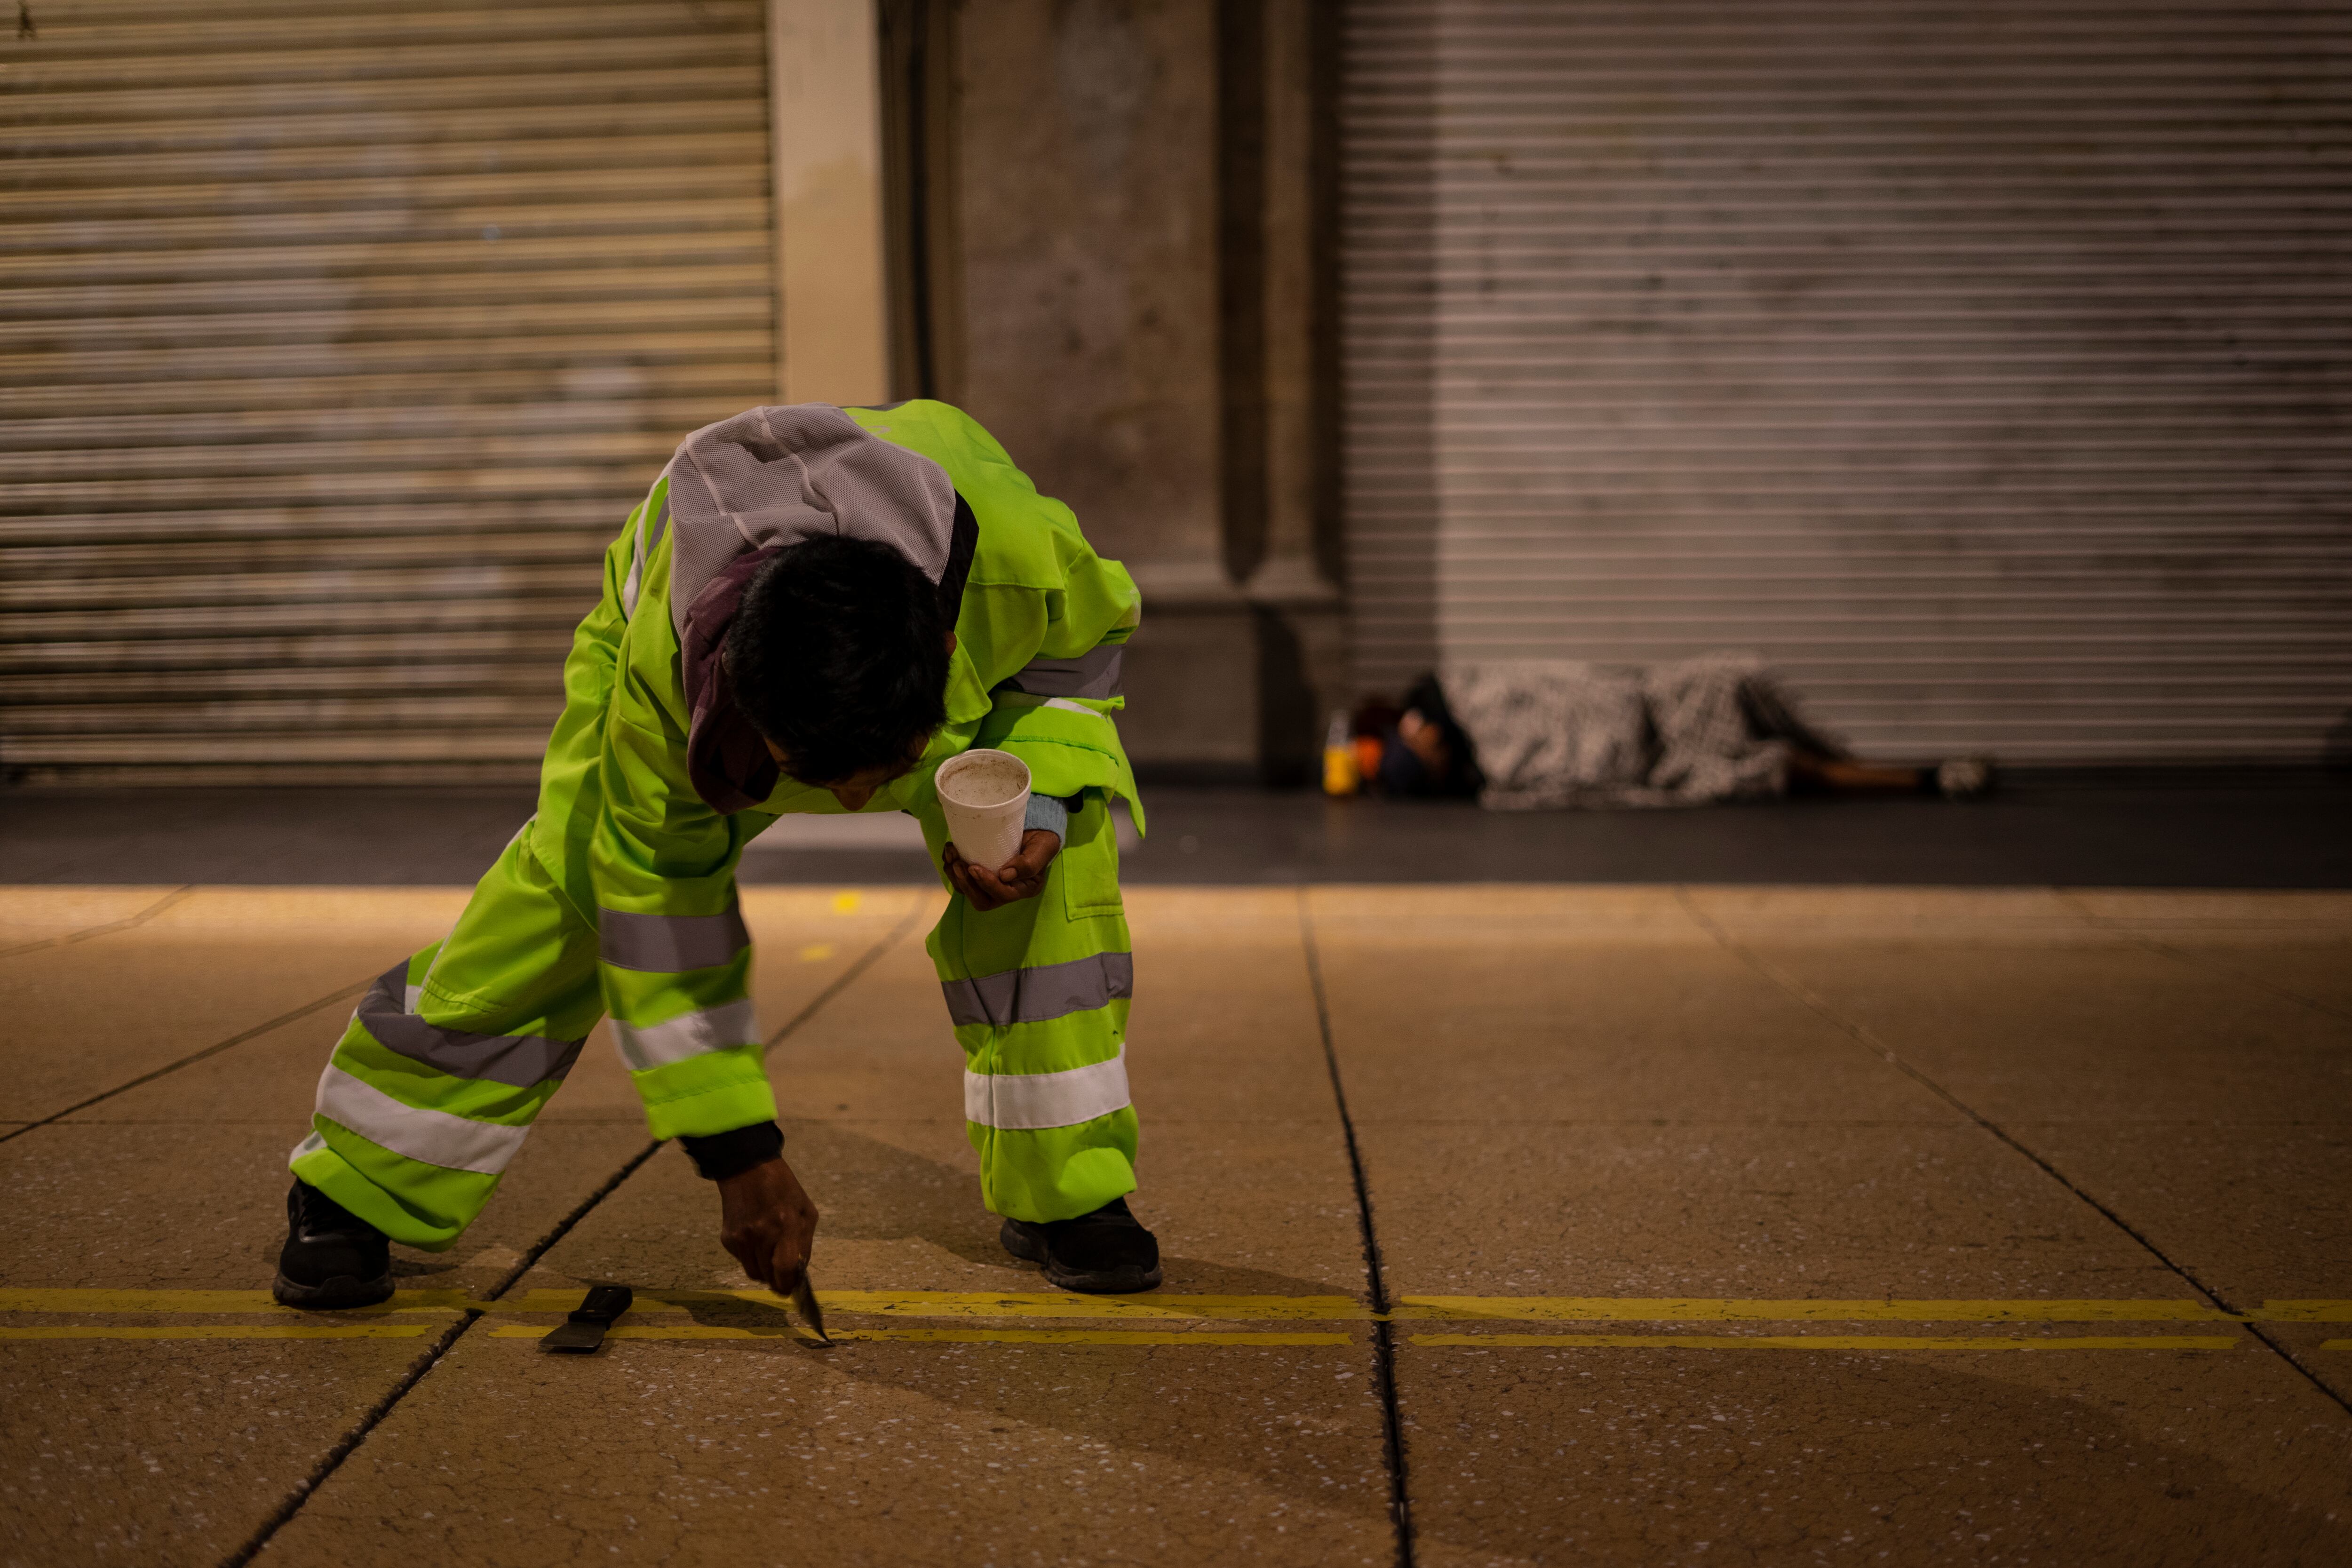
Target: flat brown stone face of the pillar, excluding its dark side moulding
{"points": [[1088, 210]]}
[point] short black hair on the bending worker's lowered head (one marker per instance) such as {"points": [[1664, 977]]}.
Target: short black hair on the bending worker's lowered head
{"points": [[841, 657]]}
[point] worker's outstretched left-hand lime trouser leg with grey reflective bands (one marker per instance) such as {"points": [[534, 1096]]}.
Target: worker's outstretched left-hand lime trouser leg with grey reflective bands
{"points": [[450, 1057]]}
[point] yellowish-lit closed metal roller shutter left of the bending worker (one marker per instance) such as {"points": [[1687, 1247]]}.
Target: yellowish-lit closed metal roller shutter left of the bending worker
{"points": [[335, 344]]}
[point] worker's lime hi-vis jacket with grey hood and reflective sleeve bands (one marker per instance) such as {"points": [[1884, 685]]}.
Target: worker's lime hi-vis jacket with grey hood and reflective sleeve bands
{"points": [[653, 784]]}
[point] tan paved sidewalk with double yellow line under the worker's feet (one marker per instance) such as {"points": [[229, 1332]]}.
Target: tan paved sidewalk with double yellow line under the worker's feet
{"points": [[1730, 1224]]}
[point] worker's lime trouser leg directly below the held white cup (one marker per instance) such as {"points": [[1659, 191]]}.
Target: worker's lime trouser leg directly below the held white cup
{"points": [[1038, 996]]}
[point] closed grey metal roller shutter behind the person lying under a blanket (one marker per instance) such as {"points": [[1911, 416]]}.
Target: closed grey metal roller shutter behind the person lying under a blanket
{"points": [[1984, 368]]}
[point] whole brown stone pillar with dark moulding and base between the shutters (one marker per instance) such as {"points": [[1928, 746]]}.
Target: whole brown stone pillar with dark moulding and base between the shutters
{"points": [[1102, 293]]}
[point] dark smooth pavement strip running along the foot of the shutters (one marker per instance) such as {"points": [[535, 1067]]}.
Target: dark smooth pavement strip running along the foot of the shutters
{"points": [[2240, 829]]}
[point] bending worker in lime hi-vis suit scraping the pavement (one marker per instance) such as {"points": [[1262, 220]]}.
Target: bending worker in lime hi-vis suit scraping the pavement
{"points": [[810, 612]]}
